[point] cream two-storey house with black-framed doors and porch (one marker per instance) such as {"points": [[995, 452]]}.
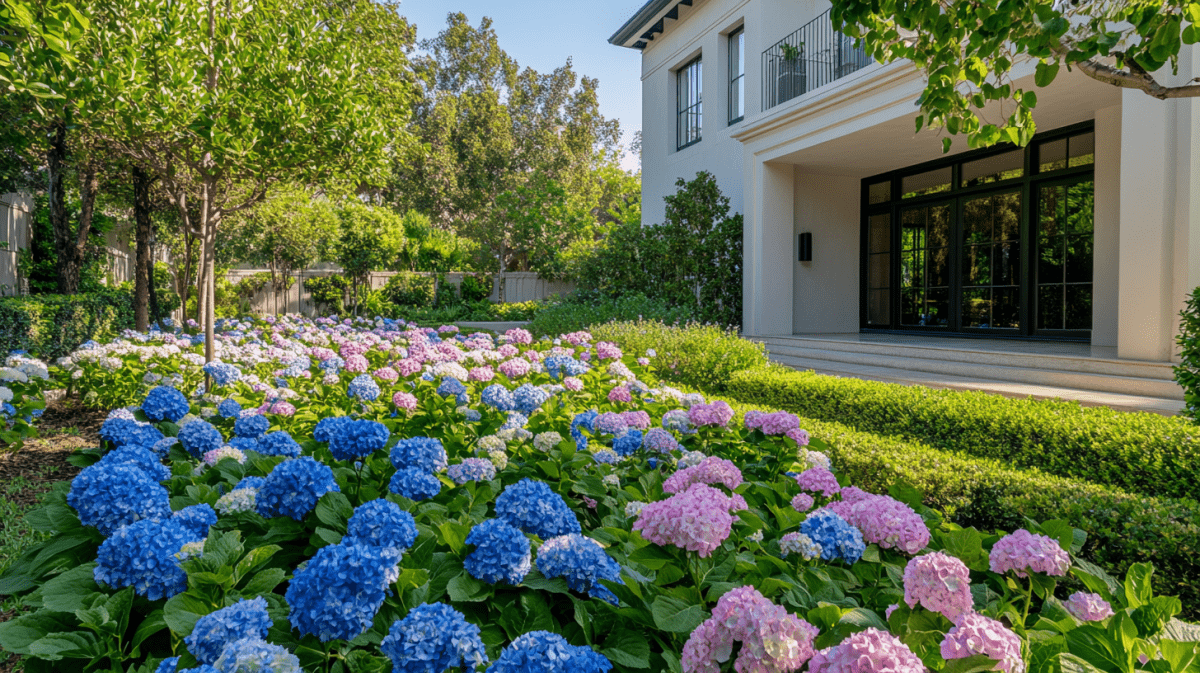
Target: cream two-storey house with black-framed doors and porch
{"points": [[1054, 269]]}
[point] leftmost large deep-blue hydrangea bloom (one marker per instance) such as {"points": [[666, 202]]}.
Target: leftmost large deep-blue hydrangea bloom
{"points": [[116, 495]]}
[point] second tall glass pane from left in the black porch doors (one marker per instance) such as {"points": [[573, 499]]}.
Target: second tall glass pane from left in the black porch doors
{"points": [[926, 266]]}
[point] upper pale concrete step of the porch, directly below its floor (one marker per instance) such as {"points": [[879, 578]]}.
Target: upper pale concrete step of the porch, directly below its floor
{"points": [[1048, 375]]}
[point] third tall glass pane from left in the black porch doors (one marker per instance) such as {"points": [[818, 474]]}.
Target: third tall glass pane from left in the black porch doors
{"points": [[992, 262]]}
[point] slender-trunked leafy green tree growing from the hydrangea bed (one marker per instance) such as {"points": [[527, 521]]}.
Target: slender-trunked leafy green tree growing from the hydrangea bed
{"points": [[221, 100]]}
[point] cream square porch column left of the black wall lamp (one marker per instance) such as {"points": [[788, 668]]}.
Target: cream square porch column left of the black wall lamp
{"points": [[769, 249]]}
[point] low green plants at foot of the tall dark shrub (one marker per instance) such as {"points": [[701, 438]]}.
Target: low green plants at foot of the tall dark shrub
{"points": [[586, 310]]}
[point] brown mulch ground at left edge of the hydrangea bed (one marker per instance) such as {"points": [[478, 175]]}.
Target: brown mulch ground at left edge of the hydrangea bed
{"points": [[65, 426]]}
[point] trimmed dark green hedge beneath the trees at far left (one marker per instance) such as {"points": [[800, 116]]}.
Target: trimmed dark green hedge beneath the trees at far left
{"points": [[52, 326]]}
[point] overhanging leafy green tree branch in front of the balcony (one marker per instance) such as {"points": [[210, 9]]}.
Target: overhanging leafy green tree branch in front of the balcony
{"points": [[969, 49]]}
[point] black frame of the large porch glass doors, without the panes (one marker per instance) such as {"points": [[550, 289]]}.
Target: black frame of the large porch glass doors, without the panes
{"points": [[1028, 184]]}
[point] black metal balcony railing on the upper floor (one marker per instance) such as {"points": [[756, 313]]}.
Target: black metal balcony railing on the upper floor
{"points": [[807, 59]]}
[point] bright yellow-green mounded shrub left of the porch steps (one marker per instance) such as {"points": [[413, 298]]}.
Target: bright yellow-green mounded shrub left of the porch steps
{"points": [[700, 356]]}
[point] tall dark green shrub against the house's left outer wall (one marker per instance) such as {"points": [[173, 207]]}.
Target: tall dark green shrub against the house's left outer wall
{"points": [[694, 260]]}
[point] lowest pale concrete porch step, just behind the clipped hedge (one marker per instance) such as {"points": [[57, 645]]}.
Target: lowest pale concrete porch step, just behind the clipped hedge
{"points": [[1167, 407]]}
